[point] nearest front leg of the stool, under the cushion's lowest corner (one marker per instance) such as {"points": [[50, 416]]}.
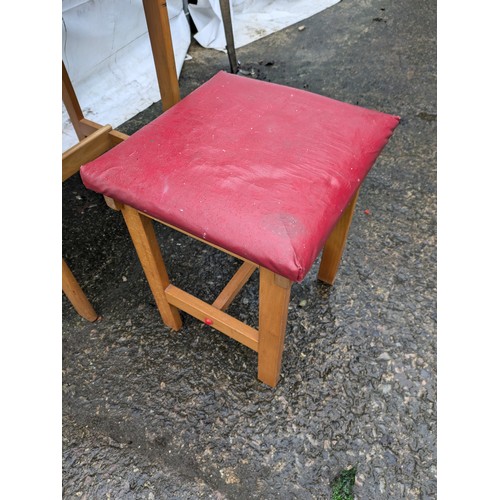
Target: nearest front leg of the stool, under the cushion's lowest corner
{"points": [[274, 296]]}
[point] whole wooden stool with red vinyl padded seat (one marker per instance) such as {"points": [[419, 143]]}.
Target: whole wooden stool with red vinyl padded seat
{"points": [[266, 173]]}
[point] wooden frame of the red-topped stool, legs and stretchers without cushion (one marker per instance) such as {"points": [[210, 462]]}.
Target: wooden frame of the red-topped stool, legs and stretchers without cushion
{"points": [[274, 290]]}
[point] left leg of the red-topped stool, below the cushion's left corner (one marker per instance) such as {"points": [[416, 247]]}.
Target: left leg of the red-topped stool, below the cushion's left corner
{"points": [[142, 233]]}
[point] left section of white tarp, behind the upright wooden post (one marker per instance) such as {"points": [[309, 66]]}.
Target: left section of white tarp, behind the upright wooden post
{"points": [[108, 56]]}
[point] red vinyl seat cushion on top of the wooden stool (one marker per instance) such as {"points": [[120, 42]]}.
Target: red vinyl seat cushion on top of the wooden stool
{"points": [[259, 169]]}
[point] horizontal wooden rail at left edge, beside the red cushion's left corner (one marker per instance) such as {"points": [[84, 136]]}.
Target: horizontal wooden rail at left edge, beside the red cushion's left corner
{"points": [[86, 150]]}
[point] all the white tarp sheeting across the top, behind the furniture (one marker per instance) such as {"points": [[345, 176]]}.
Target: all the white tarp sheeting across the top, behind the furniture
{"points": [[106, 49]]}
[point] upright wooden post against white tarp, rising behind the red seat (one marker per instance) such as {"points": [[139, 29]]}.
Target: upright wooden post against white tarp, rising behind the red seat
{"points": [[163, 52]]}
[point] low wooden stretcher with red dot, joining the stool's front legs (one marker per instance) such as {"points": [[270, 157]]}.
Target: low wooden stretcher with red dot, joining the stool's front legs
{"points": [[221, 321]]}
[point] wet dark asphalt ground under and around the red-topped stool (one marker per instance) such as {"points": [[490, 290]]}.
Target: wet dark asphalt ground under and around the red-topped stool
{"points": [[153, 414]]}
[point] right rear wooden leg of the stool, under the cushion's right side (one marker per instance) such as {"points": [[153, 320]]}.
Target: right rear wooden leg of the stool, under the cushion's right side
{"points": [[334, 246]]}
